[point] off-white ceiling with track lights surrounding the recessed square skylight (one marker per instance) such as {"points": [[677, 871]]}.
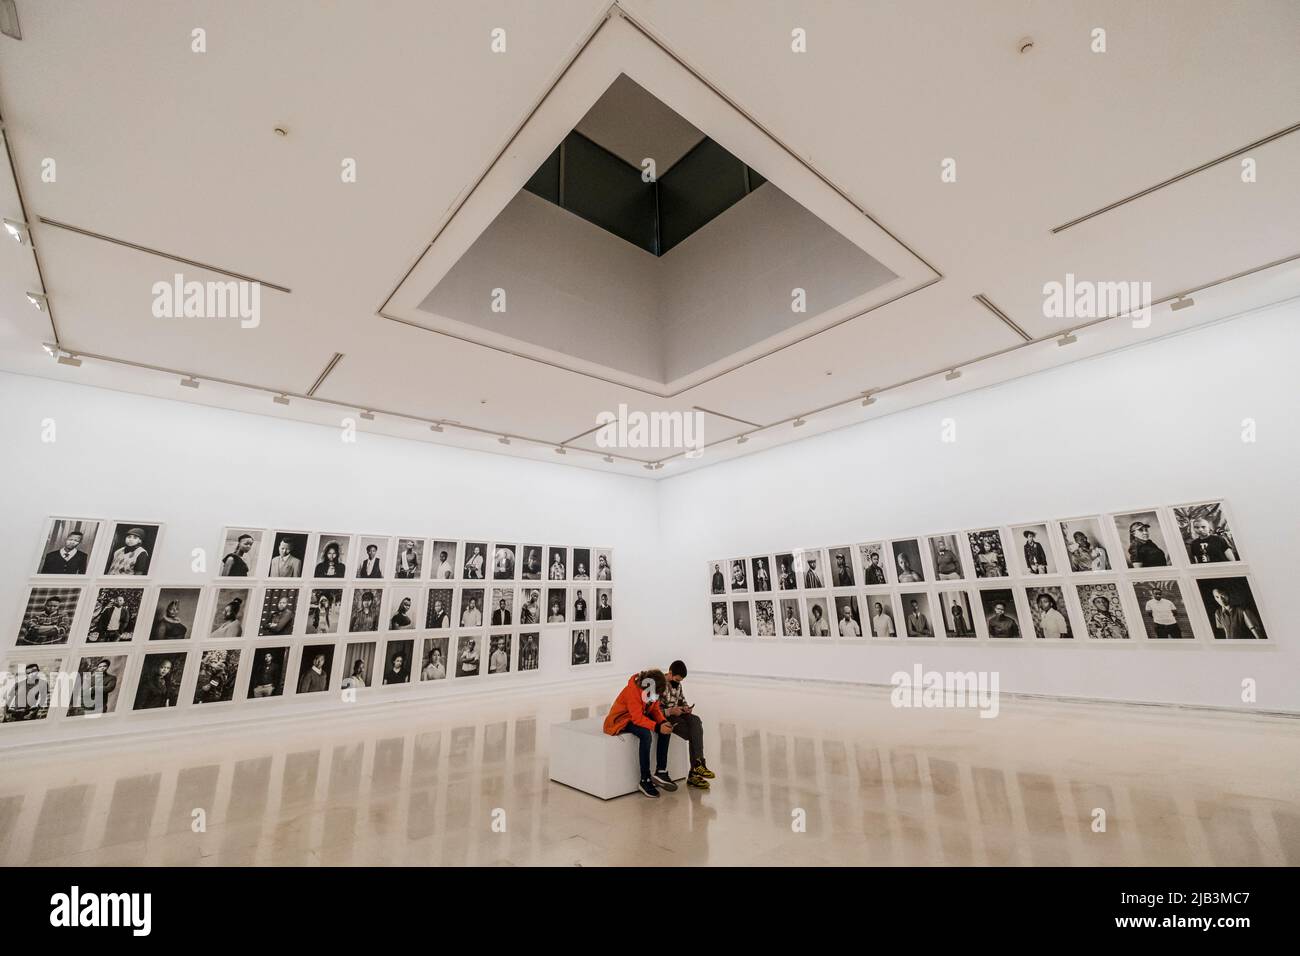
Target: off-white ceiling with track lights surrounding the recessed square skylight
{"points": [[175, 150]]}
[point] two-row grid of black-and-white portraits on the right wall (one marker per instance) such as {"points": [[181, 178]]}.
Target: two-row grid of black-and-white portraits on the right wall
{"points": [[1172, 576]]}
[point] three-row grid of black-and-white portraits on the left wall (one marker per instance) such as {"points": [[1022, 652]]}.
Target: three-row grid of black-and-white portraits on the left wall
{"points": [[291, 615]]}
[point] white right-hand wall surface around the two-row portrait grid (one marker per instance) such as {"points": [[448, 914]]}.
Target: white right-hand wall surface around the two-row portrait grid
{"points": [[1156, 425]]}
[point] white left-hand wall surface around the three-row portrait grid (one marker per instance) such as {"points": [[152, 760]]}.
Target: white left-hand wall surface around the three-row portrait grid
{"points": [[198, 470]]}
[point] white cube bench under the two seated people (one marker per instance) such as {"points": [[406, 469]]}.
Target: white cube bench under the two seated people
{"points": [[586, 758]]}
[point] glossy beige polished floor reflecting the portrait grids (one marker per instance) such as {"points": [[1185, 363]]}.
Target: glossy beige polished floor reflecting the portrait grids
{"points": [[807, 776]]}
